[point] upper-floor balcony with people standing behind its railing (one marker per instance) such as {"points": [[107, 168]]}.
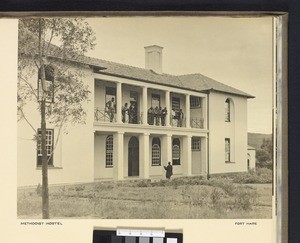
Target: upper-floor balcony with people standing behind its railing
{"points": [[136, 105]]}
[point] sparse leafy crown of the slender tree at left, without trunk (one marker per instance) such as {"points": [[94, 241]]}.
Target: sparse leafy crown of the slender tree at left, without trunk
{"points": [[64, 42]]}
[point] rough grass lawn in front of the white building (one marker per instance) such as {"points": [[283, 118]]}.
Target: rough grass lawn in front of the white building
{"points": [[178, 198]]}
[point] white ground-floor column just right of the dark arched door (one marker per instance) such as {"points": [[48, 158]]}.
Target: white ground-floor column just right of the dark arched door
{"points": [[144, 155]]}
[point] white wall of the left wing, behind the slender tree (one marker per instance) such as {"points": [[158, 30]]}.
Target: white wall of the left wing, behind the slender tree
{"points": [[73, 155]]}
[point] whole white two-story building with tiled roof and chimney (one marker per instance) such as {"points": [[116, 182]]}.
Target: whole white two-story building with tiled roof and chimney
{"points": [[139, 119]]}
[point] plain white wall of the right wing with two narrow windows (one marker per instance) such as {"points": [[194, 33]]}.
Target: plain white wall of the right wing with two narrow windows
{"points": [[236, 130]]}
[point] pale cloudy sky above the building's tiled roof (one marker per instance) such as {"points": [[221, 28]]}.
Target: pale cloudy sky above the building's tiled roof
{"points": [[234, 51]]}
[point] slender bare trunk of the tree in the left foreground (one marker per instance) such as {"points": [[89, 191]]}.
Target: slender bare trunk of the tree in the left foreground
{"points": [[45, 193]]}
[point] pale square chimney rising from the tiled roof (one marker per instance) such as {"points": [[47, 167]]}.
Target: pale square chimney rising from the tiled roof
{"points": [[153, 58]]}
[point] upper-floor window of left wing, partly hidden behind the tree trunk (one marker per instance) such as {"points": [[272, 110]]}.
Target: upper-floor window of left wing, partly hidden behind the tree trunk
{"points": [[48, 85]]}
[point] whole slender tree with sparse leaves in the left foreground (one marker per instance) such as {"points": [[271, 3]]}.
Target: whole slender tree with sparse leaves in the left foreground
{"points": [[51, 50]]}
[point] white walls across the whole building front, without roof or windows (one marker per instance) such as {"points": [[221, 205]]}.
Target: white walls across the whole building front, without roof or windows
{"points": [[80, 154]]}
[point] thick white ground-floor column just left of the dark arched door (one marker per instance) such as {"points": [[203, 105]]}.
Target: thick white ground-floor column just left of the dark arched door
{"points": [[118, 155]]}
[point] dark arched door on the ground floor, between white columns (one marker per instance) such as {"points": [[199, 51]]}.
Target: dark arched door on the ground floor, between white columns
{"points": [[133, 157]]}
